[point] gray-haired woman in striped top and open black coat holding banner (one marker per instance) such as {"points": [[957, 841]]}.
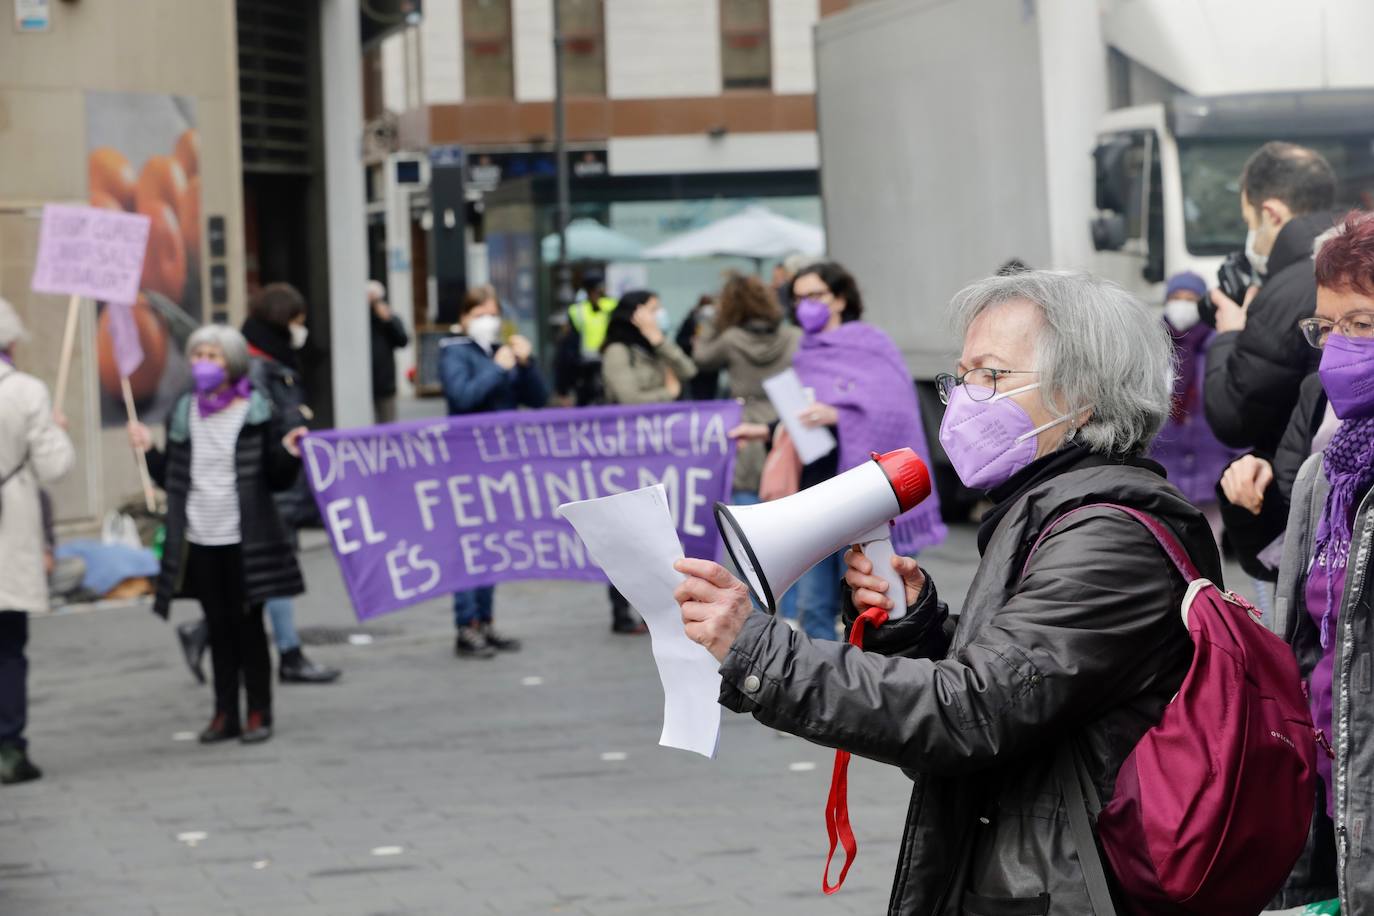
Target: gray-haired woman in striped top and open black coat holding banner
{"points": [[227, 453]]}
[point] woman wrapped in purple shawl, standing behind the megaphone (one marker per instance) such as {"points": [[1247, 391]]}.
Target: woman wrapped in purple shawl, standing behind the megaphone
{"points": [[868, 399]]}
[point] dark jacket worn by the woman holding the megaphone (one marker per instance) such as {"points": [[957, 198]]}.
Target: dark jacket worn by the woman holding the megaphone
{"points": [[1088, 648]]}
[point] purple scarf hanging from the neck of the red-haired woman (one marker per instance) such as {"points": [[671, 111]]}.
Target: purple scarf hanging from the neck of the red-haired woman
{"points": [[1350, 468]]}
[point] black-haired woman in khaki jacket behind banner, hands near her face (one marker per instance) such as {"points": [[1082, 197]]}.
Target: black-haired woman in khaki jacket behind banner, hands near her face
{"points": [[641, 365]]}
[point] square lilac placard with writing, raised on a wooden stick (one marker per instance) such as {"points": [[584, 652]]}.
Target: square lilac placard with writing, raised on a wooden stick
{"points": [[91, 252]]}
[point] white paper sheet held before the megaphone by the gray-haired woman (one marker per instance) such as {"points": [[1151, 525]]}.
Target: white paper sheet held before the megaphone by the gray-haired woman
{"points": [[631, 536]]}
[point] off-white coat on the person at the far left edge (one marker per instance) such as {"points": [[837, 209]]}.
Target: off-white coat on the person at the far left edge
{"points": [[35, 444]]}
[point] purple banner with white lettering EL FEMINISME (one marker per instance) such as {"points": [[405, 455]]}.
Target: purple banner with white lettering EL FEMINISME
{"points": [[429, 507]]}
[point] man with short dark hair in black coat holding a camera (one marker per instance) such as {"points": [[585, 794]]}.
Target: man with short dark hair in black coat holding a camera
{"points": [[1259, 356]]}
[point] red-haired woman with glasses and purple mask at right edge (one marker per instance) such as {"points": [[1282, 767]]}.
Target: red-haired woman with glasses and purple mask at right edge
{"points": [[1324, 606]]}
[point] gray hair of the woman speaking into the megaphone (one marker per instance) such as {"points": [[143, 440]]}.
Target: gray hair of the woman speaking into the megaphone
{"points": [[1101, 348]]}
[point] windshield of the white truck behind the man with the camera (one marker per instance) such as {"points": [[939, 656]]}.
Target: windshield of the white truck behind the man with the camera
{"points": [[1211, 170]]}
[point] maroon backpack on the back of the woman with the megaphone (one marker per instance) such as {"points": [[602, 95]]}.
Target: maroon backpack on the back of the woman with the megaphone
{"points": [[1213, 808]]}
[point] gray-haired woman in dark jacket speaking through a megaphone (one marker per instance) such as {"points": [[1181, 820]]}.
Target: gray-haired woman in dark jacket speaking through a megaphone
{"points": [[1070, 654]]}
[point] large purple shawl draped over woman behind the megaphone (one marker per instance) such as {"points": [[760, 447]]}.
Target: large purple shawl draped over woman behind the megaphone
{"points": [[858, 370]]}
